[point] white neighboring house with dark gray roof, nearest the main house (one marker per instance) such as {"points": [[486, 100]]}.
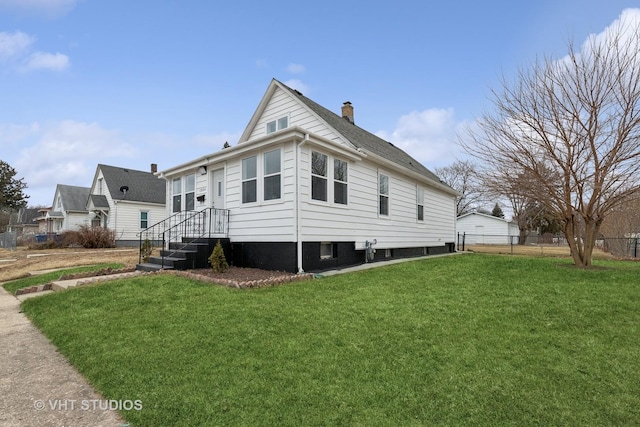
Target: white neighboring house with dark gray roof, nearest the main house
{"points": [[126, 201]]}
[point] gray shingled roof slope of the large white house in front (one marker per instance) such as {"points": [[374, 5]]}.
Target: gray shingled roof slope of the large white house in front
{"points": [[361, 138]]}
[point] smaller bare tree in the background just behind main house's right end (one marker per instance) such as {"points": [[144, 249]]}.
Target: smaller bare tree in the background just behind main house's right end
{"points": [[461, 175]]}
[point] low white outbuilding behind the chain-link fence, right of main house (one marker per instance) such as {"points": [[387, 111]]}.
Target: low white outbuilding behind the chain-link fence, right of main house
{"points": [[483, 229]]}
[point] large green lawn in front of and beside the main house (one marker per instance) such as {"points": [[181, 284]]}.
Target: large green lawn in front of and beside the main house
{"points": [[463, 340]]}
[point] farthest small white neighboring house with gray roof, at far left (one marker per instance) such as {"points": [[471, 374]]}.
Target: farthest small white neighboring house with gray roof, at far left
{"points": [[68, 211]]}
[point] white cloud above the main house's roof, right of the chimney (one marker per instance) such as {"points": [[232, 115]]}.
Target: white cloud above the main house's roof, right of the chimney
{"points": [[429, 136]]}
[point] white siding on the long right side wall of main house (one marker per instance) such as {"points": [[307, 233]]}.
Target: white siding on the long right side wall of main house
{"points": [[359, 220]]}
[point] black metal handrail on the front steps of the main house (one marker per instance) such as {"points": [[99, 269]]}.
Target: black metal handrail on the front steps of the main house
{"points": [[189, 225]]}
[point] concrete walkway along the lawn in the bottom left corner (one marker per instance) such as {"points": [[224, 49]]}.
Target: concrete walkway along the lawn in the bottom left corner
{"points": [[38, 386]]}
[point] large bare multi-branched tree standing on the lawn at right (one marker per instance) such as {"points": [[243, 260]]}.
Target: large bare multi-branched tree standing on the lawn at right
{"points": [[572, 127]]}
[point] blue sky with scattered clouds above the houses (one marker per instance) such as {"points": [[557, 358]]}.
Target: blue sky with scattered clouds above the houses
{"points": [[130, 83]]}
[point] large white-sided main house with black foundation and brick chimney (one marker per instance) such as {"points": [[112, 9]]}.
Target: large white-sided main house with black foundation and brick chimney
{"points": [[306, 190]]}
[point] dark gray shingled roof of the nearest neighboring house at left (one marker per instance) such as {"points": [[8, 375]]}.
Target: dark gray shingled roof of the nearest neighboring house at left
{"points": [[141, 186]]}
